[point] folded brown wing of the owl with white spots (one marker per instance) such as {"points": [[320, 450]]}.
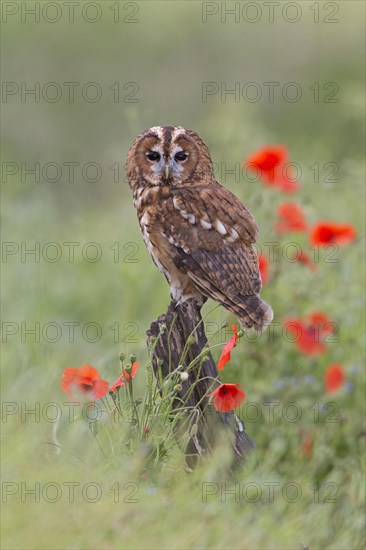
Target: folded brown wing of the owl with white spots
{"points": [[212, 234]]}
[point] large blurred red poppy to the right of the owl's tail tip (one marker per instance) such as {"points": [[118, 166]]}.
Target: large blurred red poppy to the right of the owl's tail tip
{"points": [[309, 332]]}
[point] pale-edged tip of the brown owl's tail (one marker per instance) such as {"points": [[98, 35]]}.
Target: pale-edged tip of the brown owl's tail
{"points": [[253, 312]]}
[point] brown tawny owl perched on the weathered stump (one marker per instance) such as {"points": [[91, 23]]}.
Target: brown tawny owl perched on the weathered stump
{"points": [[198, 233]]}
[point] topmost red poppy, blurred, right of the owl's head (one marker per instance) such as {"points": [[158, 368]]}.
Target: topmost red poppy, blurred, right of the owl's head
{"points": [[271, 162]]}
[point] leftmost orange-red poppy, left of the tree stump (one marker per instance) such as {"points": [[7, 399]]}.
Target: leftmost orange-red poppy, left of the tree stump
{"points": [[86, 380]]}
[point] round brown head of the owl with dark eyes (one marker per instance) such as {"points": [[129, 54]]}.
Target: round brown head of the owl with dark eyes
{"points": [[168, 155]]}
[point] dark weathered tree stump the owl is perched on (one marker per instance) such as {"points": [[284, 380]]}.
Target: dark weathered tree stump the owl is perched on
{"points": [[184, 337]]}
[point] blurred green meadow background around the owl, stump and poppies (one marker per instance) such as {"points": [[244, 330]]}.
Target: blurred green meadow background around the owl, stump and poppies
{"points": [[89, 289]]}
